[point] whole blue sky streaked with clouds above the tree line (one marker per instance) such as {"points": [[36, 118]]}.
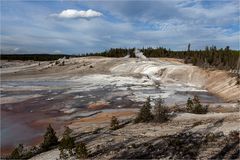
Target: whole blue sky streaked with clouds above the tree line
{"points": [[73, 27]]}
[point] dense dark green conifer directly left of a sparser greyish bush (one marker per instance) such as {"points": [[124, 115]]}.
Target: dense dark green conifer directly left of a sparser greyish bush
{"points": [[145, 114]]}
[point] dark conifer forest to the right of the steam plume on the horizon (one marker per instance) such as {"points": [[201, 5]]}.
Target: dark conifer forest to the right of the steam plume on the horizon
{"points": [[210, 57]]}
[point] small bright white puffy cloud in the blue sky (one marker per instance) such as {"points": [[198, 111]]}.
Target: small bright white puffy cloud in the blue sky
{"points": [[75, 14]]}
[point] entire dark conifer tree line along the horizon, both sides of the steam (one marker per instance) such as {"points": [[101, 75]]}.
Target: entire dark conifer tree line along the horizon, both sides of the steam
{"points": [[223, 58]]}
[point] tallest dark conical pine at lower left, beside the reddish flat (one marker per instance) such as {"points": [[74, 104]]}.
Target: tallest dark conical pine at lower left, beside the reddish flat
{"points": [[50, 138]]}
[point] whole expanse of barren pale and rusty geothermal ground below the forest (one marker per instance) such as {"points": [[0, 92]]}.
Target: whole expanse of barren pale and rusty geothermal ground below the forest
{"points": [[84, 93]]}
